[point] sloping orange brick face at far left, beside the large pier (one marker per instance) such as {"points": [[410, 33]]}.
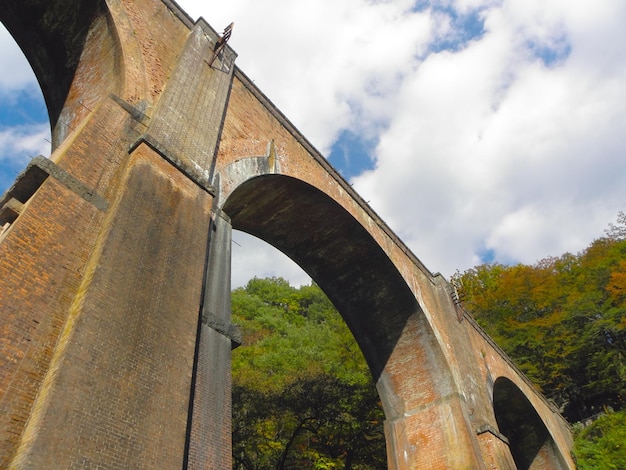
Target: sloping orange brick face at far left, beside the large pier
{"points": [[41, 259]]}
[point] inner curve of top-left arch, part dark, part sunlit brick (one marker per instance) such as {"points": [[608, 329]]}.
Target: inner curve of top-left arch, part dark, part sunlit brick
{"points": [[81, 52]]}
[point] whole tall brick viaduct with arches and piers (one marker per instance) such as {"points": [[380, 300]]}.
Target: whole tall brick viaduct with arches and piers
{"points": [[115, 332]]}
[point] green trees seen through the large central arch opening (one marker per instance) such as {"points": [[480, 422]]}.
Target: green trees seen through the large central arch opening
{"points": [[302, 394]]}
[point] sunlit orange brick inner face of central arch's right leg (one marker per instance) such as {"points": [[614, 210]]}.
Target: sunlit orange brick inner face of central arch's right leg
{"points": [[427, 424]]}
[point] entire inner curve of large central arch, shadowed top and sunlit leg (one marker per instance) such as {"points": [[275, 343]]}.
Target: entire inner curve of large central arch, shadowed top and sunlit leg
{"points": [[341, 255]]}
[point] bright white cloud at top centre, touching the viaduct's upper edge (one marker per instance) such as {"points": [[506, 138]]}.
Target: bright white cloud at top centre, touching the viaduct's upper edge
{"points": [[327, 65]]}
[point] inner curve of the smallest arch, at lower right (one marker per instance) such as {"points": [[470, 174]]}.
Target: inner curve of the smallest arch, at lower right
{"points": [[530, 442]]}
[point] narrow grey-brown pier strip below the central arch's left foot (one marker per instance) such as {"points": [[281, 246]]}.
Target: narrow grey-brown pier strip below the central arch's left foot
{"points": [[209, 431]]}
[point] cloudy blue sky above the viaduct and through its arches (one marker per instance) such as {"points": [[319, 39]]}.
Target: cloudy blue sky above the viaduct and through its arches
{"points": [[480, 130]]}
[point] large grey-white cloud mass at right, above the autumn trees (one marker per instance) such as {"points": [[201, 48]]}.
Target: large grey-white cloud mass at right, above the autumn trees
{"points": [[495, 150]]}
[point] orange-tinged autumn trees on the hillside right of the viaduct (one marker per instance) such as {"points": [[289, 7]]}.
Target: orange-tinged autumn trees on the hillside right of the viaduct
{"points": [[562, 320]]}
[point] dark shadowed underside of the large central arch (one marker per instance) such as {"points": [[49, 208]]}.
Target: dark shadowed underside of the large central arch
{"points": [[336, 251]]}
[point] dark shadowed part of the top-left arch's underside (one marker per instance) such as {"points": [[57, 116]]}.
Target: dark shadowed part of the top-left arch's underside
{"points": [[52, 35]]}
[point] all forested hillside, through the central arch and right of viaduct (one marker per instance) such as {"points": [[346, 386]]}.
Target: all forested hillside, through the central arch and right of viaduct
{"points": [[303, 396]]}
